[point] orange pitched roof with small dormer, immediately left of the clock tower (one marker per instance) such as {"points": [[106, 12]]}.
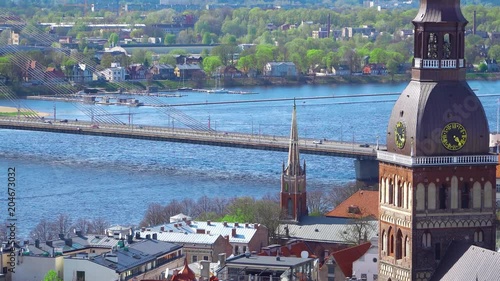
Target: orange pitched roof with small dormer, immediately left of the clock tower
{"points": [[361, 204]]}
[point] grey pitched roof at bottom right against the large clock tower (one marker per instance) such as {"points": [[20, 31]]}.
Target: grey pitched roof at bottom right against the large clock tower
{"points": [[463, 261]]}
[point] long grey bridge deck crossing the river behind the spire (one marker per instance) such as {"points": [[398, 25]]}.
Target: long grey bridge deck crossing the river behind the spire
{"points": [[228, 139]]}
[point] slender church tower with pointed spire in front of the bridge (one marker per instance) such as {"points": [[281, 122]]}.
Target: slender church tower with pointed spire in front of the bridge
{"points": [[293, 178]]}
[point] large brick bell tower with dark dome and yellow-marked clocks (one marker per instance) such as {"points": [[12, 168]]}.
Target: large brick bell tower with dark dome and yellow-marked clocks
{"points": [[437, 176]]}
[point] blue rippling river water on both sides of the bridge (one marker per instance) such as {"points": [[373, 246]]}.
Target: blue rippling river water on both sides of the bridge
{"points": [[91, 177]]}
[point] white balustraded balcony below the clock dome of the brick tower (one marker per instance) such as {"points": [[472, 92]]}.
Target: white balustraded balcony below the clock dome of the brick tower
{"points": [[435, 160]]}
